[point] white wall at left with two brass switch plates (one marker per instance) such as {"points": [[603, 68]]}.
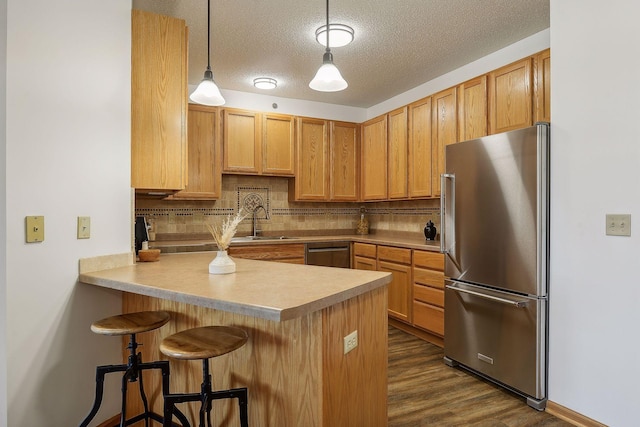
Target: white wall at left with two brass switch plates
{"points": [[67, 154]]}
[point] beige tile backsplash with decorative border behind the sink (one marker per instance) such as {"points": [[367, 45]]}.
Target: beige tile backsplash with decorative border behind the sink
{"points": [[280, 214]]}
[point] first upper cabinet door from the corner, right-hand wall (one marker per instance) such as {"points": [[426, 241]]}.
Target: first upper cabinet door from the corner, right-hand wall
{"points": [[373, 163]]}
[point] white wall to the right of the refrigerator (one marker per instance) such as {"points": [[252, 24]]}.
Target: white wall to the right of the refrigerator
{"points": [[595, 156]]}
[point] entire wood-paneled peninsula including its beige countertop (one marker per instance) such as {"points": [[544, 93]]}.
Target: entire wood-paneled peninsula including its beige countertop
{"points": [[296, 316]]}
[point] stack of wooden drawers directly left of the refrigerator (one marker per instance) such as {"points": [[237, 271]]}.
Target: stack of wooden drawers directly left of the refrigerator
{"points": [[428, 291]]}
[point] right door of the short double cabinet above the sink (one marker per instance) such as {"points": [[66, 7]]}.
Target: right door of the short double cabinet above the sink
{"points": [[277, 144]]}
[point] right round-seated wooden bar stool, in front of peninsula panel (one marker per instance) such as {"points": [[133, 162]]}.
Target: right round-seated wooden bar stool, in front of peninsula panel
{"points": [[204, 343]]}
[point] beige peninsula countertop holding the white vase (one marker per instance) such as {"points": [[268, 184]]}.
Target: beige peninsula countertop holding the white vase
{"points": [[268, 290]]}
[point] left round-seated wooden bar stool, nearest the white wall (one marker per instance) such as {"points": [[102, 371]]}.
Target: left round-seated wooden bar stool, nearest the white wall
{"points": [[131, 324]]}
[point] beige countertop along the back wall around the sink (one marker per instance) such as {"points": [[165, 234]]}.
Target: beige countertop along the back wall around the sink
{"points": [[184, 243]]}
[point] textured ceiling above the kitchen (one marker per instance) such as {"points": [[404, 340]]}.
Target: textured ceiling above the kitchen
{"points": [[399, 44]]}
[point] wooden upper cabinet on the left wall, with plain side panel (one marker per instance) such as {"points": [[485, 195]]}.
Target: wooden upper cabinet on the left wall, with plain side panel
{"points": [[158, 102]]}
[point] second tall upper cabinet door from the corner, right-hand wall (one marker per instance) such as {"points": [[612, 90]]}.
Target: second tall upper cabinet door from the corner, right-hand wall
{"points": [[397, 152]]}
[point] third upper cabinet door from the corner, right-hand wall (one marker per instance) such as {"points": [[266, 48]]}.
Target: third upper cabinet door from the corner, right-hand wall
{"points": [[419, 149]]}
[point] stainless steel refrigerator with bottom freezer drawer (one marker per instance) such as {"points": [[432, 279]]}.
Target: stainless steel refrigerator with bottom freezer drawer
{"points": [[495, 237]]}
